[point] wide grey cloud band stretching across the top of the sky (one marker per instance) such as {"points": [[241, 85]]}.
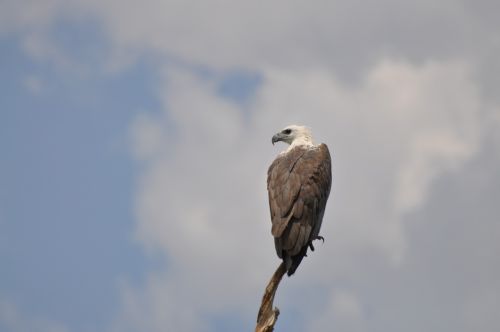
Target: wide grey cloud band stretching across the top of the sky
{"points": [[344, 36]]}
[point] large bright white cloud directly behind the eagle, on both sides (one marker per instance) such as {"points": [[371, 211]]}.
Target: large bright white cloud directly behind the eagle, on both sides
{"points": [[202, 198]]}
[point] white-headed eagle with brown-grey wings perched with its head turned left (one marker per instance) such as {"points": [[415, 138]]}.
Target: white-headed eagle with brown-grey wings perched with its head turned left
{"points": [[298, 184]]}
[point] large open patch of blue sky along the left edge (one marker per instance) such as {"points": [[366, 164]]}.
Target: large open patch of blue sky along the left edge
{"points": [[67, 188]]}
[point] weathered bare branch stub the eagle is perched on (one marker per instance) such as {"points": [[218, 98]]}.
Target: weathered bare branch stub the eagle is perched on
{"points": [[268, 316]]}
